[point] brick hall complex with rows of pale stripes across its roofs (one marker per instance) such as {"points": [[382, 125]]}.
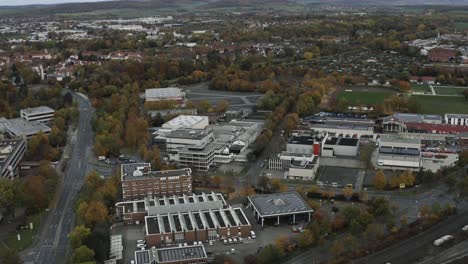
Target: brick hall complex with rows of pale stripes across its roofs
{"points": [[185, 219]]}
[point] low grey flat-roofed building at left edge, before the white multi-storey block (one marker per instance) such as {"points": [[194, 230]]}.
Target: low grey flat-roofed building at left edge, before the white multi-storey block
{"points": [[19, 127]]}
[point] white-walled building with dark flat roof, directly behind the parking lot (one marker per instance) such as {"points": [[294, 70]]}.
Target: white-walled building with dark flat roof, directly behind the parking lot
{"points": [[334, 146]]}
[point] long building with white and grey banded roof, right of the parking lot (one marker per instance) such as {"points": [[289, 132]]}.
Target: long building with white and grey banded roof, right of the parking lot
{"points": [[399, 153]]}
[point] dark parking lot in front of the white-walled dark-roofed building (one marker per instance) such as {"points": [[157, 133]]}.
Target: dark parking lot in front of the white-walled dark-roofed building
{"points": [[338, 177]]}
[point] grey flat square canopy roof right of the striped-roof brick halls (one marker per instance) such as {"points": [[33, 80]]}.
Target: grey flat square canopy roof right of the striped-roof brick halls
{"points": [[279, 204]]}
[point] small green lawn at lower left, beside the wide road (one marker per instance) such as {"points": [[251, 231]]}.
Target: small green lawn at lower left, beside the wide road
{"points": [[27, 235]]}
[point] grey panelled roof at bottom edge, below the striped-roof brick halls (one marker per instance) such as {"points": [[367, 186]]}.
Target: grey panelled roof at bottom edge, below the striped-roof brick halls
{"points": [[180, 253]]}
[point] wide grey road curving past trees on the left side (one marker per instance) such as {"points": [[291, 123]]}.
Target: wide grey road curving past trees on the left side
{"points": [[51, 245]]}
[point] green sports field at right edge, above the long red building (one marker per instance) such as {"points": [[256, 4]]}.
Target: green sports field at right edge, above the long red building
{"points": [[442, 104]]}
